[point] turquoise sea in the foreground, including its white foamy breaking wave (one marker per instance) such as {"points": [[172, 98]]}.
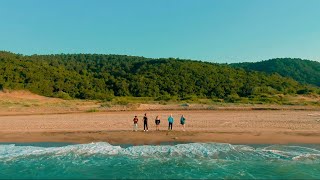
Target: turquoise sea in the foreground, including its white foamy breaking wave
{"points": [[193, 160]]}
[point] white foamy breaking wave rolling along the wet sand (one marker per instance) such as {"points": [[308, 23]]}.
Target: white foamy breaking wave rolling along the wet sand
{"points": [[221, 151]]}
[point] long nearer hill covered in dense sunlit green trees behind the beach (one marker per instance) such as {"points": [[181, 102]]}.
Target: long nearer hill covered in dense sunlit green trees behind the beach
{"points": [[94, 76]]}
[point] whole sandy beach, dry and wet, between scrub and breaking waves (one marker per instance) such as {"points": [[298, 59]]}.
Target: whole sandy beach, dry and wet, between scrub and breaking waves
{"points": [[228, 126]]}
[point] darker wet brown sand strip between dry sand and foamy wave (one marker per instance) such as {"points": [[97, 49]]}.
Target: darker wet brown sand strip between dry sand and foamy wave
{"points": [[164, 136]]}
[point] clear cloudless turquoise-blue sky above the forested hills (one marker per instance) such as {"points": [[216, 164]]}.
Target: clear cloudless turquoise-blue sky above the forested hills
{"points": [[211, 30]]}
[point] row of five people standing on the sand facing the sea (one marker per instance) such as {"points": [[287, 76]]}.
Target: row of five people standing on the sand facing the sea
{"points": [[157, 122]]}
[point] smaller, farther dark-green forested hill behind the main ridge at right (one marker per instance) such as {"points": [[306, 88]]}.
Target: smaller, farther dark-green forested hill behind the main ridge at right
{"points": [[304, 71]]}
